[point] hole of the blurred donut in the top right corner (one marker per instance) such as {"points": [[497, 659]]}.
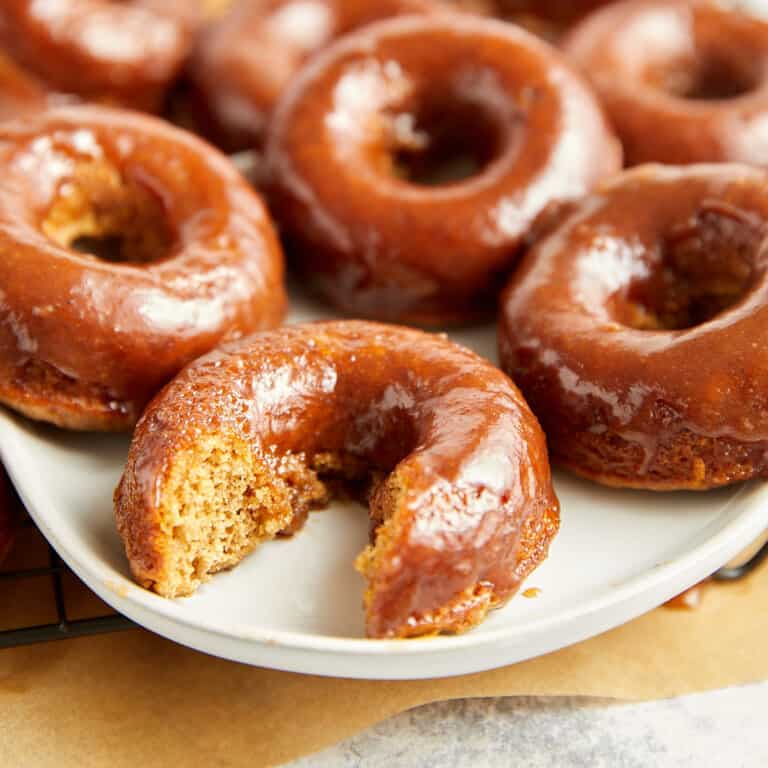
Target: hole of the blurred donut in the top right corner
{"points": [[713, 77]]}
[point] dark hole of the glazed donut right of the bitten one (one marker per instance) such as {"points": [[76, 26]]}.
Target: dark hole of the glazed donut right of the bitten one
{"points": [[701, 269]]}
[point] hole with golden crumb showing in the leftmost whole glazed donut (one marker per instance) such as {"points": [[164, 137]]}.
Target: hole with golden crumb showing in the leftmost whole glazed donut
{"points": [[100, 213]]}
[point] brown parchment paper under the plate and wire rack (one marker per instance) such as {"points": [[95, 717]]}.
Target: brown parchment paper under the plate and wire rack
{"points": [[135, 699]]}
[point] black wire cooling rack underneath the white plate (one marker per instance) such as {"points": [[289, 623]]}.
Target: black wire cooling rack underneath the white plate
{"points": [[65, 627]]}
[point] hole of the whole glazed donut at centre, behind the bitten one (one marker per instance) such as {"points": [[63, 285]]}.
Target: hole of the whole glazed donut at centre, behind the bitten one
{"points": [[443, 143]]}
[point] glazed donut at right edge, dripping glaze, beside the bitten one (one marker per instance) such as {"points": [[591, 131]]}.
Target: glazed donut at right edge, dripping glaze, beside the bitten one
{"points": [[637, 330]]}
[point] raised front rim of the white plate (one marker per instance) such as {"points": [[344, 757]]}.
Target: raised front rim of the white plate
{"points": [[688, 567]]}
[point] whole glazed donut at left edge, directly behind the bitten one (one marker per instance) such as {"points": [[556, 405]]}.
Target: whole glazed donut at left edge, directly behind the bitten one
{"points": [[127, 248]]}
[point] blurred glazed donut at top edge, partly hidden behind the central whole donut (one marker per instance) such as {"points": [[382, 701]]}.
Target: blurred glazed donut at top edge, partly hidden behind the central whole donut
{"points": [[246, 61]]}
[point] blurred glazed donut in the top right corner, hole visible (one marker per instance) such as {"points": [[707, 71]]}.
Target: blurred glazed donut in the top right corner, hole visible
{"points": [[682, 82]]}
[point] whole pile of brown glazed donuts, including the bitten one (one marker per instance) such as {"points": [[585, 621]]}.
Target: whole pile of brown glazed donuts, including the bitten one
{"points": [[598, 188]]}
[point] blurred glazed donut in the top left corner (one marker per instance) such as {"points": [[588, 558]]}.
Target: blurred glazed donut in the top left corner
{"points": [[125, 53]]}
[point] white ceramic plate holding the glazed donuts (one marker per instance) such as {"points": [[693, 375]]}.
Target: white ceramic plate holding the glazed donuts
{"points": [[296, 604]]}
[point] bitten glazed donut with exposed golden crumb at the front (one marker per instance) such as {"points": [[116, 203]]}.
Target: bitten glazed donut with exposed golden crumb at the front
{"points": [[245, 440]]}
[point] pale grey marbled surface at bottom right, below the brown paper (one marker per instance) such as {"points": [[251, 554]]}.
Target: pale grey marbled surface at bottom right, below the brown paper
{"points": [[727, 728]]}
